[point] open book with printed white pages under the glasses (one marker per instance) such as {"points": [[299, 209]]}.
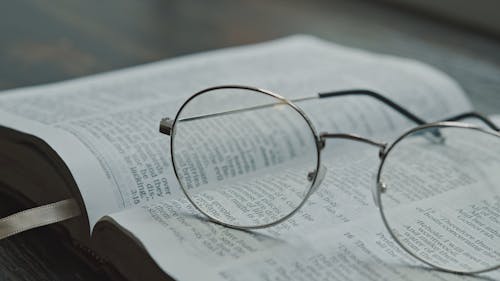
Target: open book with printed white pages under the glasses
{"points": [[96, 140]]}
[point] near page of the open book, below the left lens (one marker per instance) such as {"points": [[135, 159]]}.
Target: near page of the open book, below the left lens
{"points": [[324, 241]]}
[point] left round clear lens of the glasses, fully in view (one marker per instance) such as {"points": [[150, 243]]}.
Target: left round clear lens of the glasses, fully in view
{"points": [[244, 157]]}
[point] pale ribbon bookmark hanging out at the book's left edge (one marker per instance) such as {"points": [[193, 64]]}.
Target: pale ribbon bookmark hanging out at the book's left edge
{"points": [[39, 216]]}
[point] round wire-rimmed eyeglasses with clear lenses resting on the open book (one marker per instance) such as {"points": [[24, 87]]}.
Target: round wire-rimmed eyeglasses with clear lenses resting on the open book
{"points": [[248, 158]]}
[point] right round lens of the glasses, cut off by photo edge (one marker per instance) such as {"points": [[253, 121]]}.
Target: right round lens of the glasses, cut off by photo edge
{"points": [[440, 196]]}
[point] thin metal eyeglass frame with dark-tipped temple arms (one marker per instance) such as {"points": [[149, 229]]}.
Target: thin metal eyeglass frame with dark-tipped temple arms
{"points": [[168, 125]]}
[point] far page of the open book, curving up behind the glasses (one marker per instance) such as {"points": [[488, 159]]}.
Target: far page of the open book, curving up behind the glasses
{"points": [[105, 127]]}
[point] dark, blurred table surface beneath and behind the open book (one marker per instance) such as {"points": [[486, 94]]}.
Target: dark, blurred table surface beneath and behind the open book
{"points": [[48, 41]]}
